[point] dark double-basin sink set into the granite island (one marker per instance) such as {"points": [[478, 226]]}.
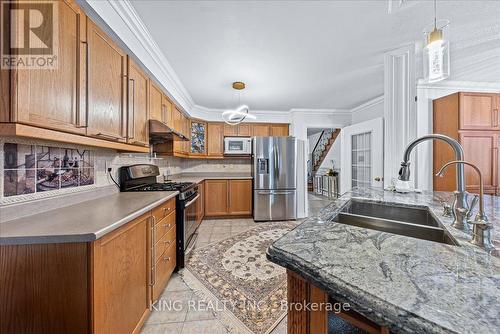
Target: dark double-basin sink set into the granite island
{"points": [[415, 222]]}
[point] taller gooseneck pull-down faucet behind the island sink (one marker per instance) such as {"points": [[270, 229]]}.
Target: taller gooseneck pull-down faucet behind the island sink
{"points": [[460, 204]]}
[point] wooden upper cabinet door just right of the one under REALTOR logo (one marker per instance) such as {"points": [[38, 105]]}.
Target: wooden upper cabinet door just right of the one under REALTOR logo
{"points": [[106, 86]]}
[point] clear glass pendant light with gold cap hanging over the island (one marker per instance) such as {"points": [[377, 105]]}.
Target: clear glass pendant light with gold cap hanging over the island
{"points": [[436, 55]]}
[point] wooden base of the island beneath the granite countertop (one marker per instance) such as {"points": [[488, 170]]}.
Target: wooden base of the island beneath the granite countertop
{"points": [[301, 320]]}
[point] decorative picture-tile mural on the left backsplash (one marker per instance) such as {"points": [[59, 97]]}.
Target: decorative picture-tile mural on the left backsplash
{"points": [[31, 169]]}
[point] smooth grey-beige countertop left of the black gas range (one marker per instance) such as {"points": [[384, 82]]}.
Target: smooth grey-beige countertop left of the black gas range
{"points": [[82, 222]]}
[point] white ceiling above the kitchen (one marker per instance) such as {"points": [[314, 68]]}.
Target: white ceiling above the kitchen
{"points": [[303, 54]]}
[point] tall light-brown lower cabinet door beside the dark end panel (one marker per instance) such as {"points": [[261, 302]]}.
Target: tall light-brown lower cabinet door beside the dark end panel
{"points": [[120, 278]]}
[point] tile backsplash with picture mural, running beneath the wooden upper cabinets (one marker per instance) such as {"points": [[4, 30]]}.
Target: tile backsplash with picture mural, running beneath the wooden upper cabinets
{"points": [[35, 169]]}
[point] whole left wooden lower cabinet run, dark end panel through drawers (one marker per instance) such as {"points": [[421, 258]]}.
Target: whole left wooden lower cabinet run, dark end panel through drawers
{"points": [[105, 286]]}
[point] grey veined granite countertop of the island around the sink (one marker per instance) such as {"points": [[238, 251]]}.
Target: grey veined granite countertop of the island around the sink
{"points": [[408, 285]]}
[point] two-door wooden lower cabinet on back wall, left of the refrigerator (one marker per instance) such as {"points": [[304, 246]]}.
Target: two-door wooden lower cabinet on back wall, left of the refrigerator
{"points": [[228, 198]]}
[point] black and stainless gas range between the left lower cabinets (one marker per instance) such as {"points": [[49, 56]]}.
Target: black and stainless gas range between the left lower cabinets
{"points": [[143, 178]]}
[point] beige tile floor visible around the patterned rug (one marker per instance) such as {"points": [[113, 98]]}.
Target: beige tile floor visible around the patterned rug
{"points": [[180, 313]]}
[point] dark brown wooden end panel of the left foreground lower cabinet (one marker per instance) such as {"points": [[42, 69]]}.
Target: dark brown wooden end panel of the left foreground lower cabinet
{"points": [[44, 288]]}
